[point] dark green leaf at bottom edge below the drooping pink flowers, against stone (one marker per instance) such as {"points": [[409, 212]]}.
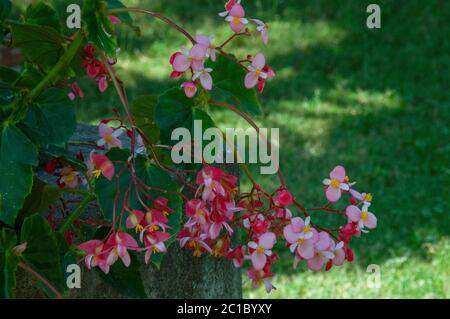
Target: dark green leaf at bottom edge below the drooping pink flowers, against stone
{"points": [[126, 280]]}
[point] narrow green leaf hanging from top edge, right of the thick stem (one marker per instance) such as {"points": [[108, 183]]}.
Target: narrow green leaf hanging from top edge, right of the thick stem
{"points": [[99, 28]]}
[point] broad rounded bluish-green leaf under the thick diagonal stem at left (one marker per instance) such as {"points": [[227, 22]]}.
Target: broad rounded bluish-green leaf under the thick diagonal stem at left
{"points": [[52, 119]]}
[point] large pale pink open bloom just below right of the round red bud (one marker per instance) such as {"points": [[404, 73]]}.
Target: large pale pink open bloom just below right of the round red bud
{"points": [[295, 234]]}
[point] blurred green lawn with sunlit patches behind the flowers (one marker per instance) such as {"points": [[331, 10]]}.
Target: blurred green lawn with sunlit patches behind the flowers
{"points": [[376, 101]]}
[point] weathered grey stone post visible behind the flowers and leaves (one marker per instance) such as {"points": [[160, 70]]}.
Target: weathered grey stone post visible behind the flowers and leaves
{"points": [[181, 275]]}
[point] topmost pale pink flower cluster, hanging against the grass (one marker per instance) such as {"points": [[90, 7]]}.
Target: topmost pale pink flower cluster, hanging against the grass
{"points": [[193, 60]]}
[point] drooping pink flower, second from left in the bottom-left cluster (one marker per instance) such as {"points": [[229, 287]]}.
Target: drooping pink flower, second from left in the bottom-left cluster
{"points": [[120, 242]]}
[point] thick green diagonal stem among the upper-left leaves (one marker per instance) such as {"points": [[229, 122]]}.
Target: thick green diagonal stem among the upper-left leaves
{"points": [[65, 59]]}
